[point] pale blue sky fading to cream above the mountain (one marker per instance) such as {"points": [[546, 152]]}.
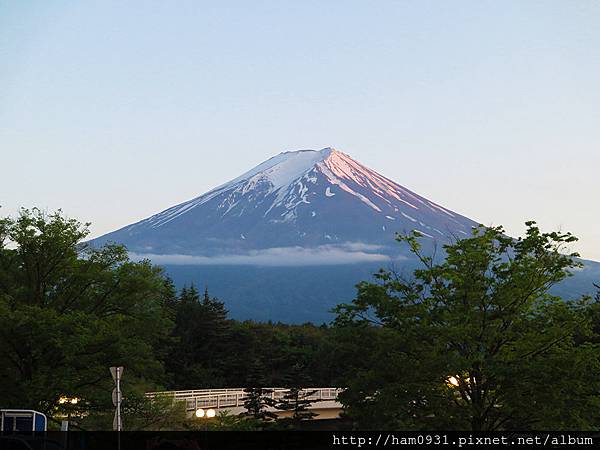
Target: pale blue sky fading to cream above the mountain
{"points": [[113, 111]]}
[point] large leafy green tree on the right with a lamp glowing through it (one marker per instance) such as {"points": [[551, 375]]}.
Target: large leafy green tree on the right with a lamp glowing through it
{"points": [[476, 341]]}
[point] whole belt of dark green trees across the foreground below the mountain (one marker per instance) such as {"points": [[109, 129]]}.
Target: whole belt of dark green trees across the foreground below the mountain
{"points": [[471, 341]]}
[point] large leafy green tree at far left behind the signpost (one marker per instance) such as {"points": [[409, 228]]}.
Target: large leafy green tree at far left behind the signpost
{"points": [[69, 311]]}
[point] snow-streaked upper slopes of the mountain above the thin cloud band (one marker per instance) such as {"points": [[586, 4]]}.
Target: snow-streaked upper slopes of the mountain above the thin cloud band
{"points": [[305, 199]]}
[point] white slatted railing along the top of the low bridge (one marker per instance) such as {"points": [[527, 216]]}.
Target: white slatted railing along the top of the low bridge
{"points": [[231, 398]]}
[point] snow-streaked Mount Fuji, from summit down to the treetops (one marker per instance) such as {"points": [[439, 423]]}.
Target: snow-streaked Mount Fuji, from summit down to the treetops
{"points": [[290, 238]]}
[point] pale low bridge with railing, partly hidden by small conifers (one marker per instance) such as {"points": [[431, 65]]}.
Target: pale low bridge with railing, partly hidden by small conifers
{"points": [[324, 401]]}
